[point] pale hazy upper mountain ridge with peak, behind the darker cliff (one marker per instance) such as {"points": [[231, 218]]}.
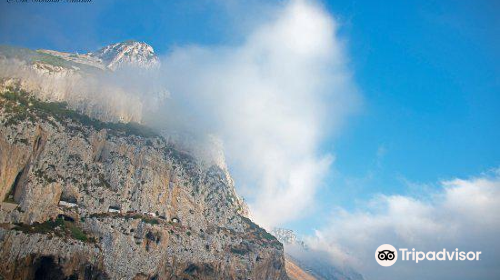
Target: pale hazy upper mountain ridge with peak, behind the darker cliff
{"points": [[88, 82]]}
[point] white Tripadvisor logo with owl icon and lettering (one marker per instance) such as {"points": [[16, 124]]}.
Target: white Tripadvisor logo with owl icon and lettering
{"points": [[387, 255]]}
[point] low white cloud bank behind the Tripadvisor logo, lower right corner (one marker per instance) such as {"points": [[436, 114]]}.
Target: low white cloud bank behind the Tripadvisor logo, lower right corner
{"points": [[464, 214]]}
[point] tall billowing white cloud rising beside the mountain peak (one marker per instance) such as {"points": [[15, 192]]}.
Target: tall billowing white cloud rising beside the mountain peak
{"points": [[272, 100]]}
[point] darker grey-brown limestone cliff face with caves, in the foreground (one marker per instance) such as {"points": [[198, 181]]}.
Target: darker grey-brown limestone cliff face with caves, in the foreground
{"points": [[85, 199]]}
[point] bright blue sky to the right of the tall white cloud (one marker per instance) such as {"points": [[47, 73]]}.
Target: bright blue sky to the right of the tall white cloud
{"points": [[429, 73]]}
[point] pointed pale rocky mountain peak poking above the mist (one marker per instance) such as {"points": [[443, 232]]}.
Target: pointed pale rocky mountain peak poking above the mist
{"points": [[131, 52]]}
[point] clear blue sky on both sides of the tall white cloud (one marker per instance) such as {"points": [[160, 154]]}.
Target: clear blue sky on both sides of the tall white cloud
{"points": [[428, 72]]}
